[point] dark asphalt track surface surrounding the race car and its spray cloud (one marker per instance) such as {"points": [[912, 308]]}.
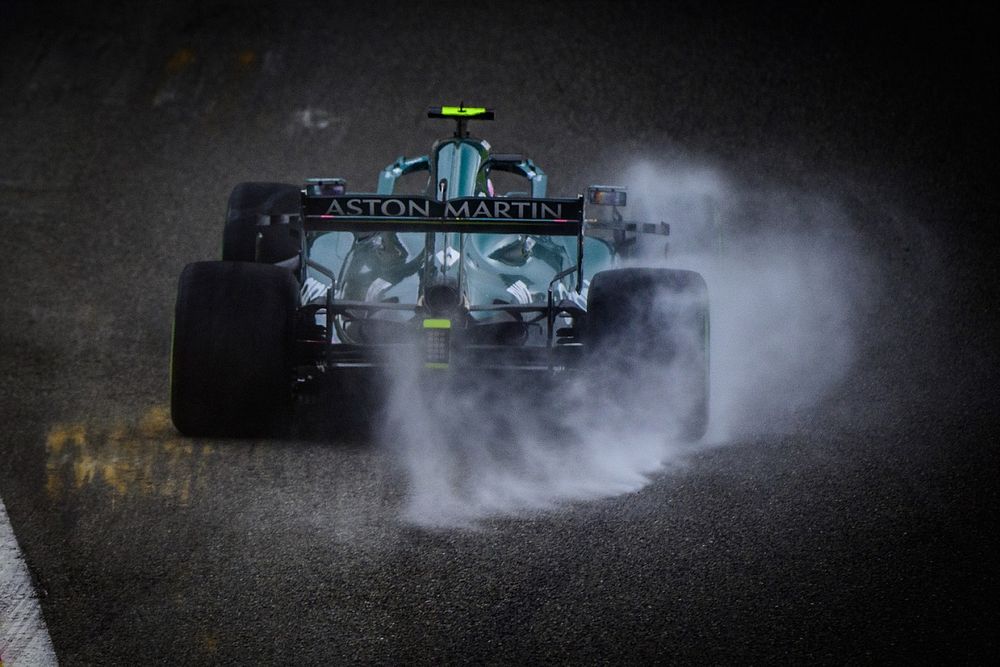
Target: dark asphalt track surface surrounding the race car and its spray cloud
{"points": [[865, 532]]}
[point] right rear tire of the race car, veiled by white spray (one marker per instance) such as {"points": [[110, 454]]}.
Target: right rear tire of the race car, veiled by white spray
{"points": [[653, 323]]}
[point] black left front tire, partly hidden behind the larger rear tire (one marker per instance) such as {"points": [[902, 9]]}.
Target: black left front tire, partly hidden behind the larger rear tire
{"points": [[247, 203]]}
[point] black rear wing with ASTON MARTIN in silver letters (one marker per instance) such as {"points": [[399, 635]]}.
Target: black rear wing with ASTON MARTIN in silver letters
{"points": [[364, 212]]}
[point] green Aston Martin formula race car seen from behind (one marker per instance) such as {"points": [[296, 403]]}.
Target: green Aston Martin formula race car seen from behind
{"points": [[321, 286]]}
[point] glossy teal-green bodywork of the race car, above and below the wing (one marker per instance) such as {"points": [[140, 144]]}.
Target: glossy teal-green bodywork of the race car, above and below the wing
{"points": [[392, 267]]}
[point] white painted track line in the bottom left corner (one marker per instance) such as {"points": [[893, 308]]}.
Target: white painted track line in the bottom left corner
{"points": [[24, 639]]}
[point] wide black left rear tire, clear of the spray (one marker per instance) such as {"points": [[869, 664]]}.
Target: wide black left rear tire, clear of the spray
{"points": [[231, 355]]}
